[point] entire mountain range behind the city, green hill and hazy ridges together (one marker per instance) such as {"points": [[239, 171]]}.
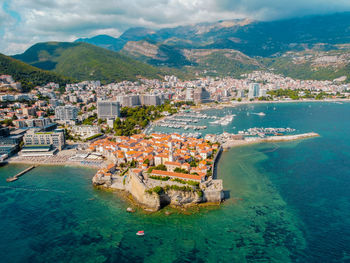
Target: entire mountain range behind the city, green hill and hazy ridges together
{"points": [[313, 47]]}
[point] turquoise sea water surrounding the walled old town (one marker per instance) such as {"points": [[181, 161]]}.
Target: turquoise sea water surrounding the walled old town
{"points": [[288, 202]]}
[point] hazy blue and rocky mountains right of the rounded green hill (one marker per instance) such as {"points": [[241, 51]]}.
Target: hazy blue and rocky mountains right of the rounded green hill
{"points": [[306, 47]]}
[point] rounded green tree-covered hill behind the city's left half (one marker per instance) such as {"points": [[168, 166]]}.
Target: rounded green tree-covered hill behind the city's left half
{"points": [[84, 61]]}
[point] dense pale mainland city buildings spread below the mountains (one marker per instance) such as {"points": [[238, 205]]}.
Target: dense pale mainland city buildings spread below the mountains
{"points": [[42, 107]]}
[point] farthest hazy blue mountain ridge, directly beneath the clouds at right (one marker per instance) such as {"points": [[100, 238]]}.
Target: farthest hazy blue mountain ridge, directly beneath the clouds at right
{"points": [[253, 38]]}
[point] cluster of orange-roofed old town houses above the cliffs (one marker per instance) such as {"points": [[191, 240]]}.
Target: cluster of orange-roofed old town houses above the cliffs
{"points": [[191, 156]]}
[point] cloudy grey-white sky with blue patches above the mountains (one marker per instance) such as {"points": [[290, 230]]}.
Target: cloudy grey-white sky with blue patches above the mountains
{"points": [[25, 22]]}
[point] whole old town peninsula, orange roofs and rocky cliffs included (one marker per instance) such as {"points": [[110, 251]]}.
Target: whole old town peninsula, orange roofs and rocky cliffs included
{"points": [[161, 169]]}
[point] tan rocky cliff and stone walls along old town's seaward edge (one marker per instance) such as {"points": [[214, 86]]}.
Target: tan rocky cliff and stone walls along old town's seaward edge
{"points": [[139, 187]]}
